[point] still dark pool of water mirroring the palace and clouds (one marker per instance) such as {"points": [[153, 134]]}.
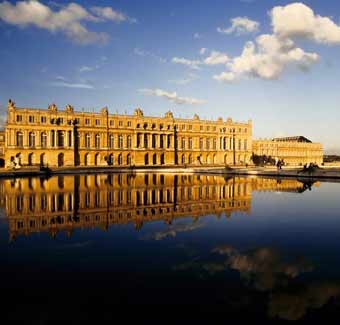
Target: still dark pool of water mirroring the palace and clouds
{"points": [[84, 247]]}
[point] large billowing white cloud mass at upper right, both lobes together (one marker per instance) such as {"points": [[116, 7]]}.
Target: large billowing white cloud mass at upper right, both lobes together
{"points": [[270, 54]]}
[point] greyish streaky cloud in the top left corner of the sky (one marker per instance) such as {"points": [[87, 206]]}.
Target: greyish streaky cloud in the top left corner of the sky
{"points": [[69, 20]]}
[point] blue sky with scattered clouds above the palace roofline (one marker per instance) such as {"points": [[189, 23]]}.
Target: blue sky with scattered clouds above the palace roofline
{"points": [[185, 56]]}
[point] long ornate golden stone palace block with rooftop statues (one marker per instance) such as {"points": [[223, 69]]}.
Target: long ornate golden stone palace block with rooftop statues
{"points": [[69, 138]]}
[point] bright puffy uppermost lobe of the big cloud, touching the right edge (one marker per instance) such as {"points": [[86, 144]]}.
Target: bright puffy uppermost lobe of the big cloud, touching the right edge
{"points": [[297, 20]]}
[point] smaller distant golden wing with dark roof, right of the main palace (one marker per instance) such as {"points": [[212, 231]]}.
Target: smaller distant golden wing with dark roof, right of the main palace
{"points": [[293, 150]]}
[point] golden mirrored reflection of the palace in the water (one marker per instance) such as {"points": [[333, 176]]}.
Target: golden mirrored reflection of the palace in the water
{"points": [[65, 203]]}
